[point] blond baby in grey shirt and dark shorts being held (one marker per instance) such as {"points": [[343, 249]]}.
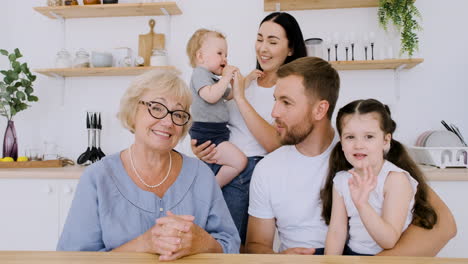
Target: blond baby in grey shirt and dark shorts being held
{"points": [[207, 51]]}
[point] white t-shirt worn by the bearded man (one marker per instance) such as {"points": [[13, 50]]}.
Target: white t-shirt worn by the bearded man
{"points": [[286, 186]]}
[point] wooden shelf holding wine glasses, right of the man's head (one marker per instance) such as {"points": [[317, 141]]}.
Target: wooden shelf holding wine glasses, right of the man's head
{"points": [[376, 64]]}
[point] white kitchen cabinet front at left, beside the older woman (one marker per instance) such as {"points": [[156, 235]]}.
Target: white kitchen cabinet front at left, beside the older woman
{"points": [[33, 212]]}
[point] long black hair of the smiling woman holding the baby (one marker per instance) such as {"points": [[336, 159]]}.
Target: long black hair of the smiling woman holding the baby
{"points": [[293, 33]]}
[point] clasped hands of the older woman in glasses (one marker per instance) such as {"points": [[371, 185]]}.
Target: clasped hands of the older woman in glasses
{"points": [[173, 236]]}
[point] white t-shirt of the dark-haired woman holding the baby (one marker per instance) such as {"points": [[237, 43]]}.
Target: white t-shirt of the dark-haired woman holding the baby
{"points": [[262, 101]]}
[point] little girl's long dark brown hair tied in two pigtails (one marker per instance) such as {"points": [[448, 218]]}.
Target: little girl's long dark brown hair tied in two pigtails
{"points": [[424, 214]]}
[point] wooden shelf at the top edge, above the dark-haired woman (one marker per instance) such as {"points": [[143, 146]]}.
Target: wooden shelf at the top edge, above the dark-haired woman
{"points": [[270, 5]]}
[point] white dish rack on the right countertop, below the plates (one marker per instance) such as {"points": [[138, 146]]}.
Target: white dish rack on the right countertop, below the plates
{"points": [[441, 157]]}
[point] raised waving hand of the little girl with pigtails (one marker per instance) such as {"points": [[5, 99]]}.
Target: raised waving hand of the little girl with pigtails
{"points": [[360, 187]]}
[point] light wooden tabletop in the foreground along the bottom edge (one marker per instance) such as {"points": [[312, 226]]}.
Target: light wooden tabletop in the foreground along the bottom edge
{"points": [[44, 257]]}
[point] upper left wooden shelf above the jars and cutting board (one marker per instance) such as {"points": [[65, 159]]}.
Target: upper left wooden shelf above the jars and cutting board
{"points": [[110, 10]]}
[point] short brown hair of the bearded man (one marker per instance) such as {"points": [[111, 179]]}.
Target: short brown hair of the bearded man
{"points": [[319, 79]]}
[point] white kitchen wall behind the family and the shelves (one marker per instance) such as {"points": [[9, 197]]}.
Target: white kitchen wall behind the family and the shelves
{"points": [[433, 90]]}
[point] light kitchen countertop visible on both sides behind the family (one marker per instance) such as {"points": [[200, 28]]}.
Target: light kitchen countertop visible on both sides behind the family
{"points": [[74, 172]]}
